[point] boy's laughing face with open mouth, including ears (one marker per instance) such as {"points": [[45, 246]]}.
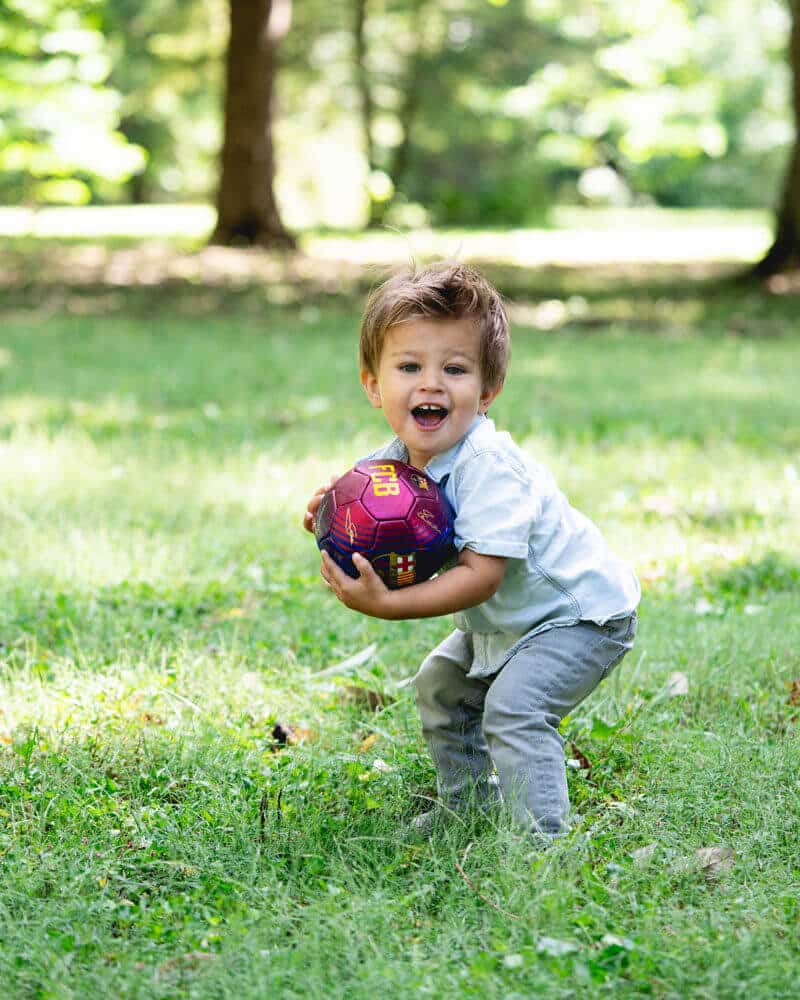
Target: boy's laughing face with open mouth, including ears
{"points": [[429, 384]]}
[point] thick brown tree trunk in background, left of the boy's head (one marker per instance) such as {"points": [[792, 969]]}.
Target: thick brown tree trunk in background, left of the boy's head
{"points": [[247, 213]]}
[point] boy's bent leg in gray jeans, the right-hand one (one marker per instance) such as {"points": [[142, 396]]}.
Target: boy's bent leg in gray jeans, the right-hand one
{"points": [[525, 704]]}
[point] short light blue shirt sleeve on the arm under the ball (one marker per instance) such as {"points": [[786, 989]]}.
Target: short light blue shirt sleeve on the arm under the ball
{"points": [[496, 507]]}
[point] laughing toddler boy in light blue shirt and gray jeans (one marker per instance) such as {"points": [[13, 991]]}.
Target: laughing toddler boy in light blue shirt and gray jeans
{"points": [[543, 608]]}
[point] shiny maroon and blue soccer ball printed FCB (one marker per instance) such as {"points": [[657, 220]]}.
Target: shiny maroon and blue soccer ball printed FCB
{"points": [[394, 515]]}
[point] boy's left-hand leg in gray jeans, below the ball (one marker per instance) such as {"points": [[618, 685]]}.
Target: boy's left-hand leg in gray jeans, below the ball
{"points": [[451, 708]]}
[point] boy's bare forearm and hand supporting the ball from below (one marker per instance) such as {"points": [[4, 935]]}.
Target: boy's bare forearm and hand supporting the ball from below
{"points": [[471, 582]]}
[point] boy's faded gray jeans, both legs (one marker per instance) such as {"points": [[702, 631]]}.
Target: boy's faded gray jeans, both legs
{"points": [[509, 722]]}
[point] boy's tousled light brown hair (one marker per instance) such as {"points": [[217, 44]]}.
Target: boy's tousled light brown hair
{"points": [[442, 290]]}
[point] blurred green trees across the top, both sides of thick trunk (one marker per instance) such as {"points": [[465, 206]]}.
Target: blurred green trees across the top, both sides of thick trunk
{"points": [[404, 112]]}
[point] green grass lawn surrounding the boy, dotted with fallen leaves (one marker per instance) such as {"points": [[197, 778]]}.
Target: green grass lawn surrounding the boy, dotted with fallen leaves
{"points": [[163, 630]]}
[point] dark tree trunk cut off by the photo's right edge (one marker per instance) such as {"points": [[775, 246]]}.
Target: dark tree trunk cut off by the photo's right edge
{"points": [[784, 254]]}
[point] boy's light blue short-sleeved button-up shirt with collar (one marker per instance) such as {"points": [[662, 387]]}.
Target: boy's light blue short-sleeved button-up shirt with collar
{"points": [[559, 571]]}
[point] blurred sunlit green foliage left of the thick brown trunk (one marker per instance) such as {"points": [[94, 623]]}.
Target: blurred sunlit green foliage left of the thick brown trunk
{"points": [[98, 96]]}
